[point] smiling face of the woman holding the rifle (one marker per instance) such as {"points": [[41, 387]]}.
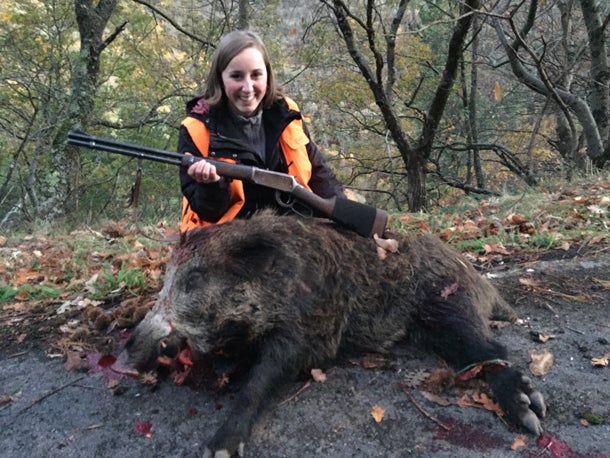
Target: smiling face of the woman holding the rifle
{"points": [[245, 81]]}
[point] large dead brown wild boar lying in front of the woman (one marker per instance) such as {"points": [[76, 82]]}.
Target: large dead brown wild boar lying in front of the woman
{"points": [[293, 292]]}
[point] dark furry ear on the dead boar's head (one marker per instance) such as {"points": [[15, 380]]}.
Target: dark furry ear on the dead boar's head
{"points": [[251, 256]]}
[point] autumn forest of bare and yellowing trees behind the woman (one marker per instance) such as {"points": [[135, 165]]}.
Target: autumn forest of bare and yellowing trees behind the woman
{"points": [[416, 103]]}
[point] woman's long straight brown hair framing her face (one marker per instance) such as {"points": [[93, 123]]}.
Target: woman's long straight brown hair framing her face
{"points": [[229, 46]]}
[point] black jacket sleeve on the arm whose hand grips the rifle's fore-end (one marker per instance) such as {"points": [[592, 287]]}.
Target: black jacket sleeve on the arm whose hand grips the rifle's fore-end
{"points": [[209, 201]]}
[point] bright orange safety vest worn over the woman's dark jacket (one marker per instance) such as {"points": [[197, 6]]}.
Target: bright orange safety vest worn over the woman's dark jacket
{"points": [[292, 142]]}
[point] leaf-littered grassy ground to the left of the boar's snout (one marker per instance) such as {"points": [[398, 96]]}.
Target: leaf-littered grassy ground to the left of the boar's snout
{"points": [[65, 282]]}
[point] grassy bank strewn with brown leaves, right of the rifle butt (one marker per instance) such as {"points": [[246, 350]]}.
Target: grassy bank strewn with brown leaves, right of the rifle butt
{"points": [[534, 220]]}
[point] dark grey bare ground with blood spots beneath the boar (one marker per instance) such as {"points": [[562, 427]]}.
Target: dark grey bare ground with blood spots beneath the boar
{"points": [[564, 305]]}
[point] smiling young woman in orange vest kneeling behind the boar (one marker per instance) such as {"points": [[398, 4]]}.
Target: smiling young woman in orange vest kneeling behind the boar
{"points": [[244, 117]]}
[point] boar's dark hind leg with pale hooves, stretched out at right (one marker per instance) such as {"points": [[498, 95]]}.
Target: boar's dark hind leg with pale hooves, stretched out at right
{"points": [[457, 333]]}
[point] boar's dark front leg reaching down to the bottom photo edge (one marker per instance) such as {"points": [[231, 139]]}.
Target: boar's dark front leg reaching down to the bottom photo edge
{"points": [[277, 364]]}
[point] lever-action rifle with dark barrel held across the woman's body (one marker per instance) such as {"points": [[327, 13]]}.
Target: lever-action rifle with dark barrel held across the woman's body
{"points": [[363, 219]]}
